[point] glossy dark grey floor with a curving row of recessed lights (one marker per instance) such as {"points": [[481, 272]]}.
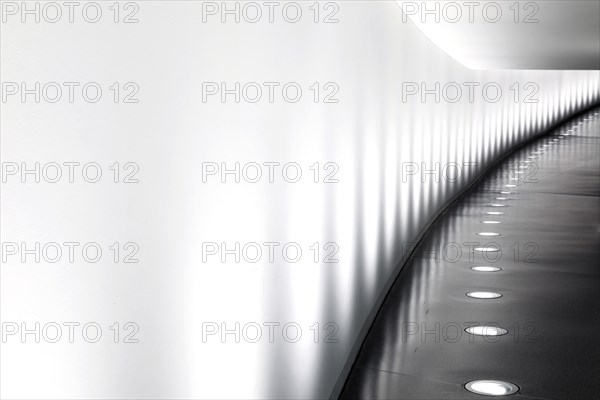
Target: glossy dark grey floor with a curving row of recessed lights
{"points": [[548, 199]]}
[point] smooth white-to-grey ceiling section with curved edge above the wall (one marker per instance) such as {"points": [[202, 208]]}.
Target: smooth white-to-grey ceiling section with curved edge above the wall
{"points": [[558, 34]]}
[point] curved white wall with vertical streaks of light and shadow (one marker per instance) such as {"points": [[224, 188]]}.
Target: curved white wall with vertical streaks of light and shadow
{"points": [[370, 134]]}
